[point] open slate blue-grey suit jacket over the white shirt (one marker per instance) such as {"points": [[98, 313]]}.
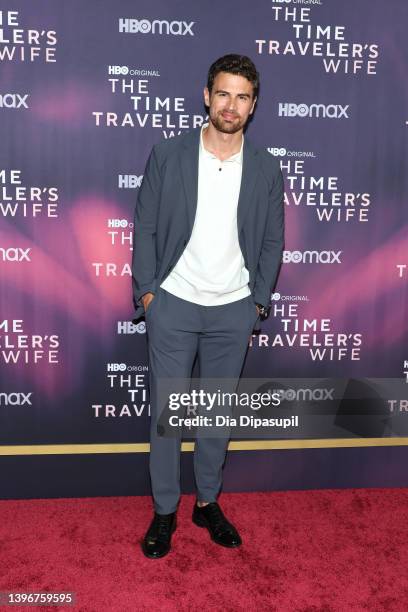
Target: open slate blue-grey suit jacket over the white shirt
{"points": [[166, 207]]}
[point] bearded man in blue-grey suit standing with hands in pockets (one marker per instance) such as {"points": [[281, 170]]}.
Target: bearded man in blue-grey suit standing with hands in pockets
{"points": [[208, 240]]}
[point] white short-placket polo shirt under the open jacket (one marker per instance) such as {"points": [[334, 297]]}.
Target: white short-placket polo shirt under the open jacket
{"points": [[211, 269]]}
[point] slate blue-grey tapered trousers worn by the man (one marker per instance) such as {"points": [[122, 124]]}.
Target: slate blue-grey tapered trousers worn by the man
{"points": [[178, 331]]}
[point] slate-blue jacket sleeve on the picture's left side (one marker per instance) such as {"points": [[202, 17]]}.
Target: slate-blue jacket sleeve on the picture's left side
{"points": [[144, 231]]}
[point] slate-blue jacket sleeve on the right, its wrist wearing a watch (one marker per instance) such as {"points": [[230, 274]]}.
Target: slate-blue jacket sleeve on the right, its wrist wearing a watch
{"points": [[272, 246]]}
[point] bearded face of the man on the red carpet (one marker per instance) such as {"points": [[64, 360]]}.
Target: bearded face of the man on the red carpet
{"points": [[230, 103]]}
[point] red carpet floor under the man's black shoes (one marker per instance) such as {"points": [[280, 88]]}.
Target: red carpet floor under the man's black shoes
{"points": [[307, 551]]}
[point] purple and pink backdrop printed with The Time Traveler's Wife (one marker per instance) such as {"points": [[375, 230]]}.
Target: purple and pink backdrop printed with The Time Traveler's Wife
{"points": [[86, 89]]}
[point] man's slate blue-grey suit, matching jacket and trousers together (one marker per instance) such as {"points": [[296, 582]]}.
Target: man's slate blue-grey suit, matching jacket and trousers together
{"points": [[179, 330]]}
